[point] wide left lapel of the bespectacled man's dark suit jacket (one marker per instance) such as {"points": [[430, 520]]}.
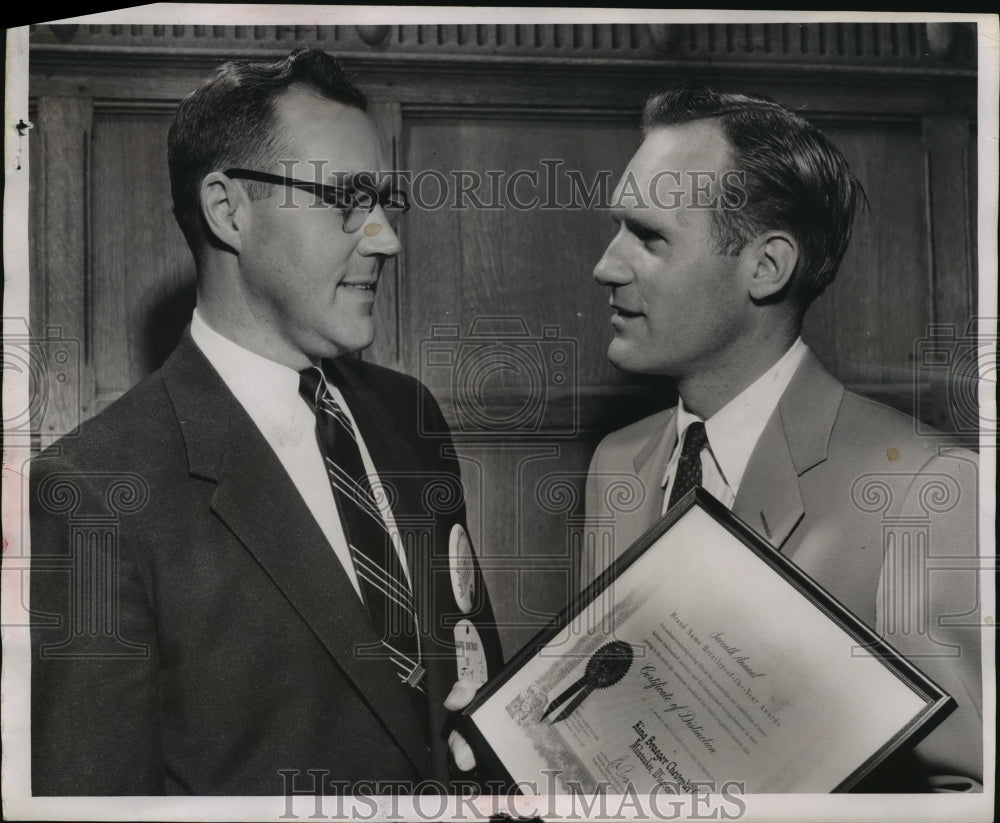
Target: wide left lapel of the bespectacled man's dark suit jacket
{"points": [[225, 445]]}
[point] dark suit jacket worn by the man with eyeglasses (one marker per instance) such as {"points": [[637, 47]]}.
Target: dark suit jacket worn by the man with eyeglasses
{"points": [[193, 631]]}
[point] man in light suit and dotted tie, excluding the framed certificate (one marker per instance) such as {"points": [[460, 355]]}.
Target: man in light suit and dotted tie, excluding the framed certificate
{"points": [[741, 214]]}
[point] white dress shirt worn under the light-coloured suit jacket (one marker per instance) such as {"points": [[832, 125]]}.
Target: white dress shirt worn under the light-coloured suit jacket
{"points": [[734, 430]]}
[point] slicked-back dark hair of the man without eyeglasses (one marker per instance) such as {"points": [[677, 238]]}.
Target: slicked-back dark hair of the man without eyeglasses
{"points": [[794, 177]]}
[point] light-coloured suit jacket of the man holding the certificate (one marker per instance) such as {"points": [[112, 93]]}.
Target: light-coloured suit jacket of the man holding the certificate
{"points": [[884, 519]]}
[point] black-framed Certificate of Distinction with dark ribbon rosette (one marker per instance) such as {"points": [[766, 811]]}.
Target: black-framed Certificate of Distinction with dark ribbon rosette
{"points": [[702, 658]]}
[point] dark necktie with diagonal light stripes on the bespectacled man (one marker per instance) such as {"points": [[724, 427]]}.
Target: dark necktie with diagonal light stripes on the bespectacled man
{"points": [[384, 588]]}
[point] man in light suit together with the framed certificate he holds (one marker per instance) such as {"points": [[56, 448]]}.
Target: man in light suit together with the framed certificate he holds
{"points": [[791, 603]]}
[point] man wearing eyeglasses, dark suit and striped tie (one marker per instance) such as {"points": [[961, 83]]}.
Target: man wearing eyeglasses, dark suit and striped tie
{"points": [[288, 592]]}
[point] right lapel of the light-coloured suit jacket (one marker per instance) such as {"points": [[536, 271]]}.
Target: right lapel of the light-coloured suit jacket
{"points": [[794, 440]]}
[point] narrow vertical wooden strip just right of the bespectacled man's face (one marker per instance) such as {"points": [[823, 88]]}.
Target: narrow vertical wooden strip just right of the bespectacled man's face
{"points": [[388, 119]]}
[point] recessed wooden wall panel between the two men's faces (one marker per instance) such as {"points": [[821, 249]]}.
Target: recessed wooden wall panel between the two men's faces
{"points": [[504, 275]]}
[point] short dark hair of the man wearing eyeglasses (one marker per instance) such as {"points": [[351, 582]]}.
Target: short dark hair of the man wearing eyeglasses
{"points": [[229, 121]]}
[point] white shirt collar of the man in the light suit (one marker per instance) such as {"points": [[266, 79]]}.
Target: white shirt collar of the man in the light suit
{"points": [[733, 431]]}
